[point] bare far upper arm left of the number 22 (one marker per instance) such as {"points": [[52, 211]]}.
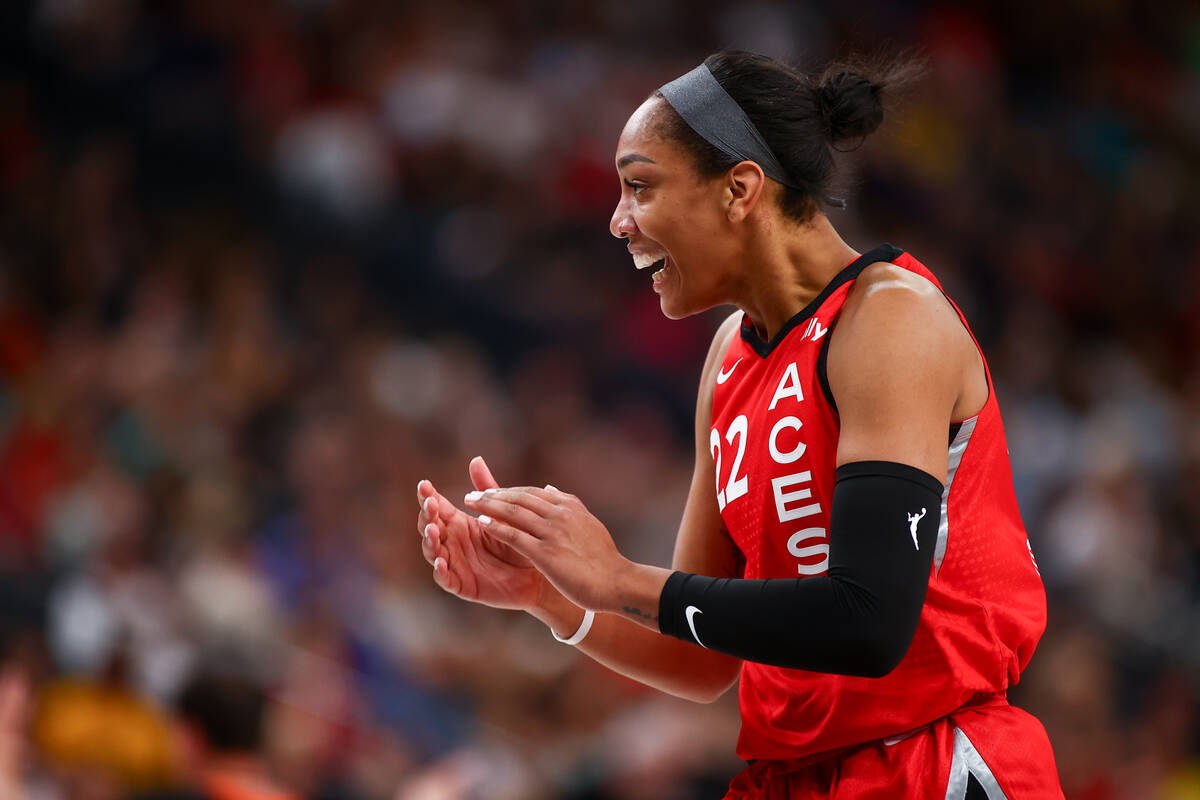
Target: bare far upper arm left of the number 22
{"points": [[704, 545]]}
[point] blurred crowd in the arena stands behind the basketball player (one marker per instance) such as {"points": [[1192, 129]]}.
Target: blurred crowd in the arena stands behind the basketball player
{"points": [[266, 264]]}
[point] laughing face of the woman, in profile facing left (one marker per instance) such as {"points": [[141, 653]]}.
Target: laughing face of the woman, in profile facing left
{"points": [[675, 219]]}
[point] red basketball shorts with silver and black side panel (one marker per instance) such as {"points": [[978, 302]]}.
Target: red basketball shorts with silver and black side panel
{"points": [[1005, 750]]}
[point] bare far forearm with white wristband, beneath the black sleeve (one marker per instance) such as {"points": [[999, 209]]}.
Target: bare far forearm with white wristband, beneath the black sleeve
{"points": [[641, 653]]}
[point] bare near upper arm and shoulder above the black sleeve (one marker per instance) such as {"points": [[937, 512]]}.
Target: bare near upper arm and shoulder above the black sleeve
{"points": [[898, 364]]}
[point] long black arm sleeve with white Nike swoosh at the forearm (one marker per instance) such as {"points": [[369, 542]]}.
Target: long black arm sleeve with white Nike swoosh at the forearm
{"points": [[861, 617]]}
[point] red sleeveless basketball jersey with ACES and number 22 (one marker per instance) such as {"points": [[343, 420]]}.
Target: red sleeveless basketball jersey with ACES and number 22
{"points": [[775, 443]]}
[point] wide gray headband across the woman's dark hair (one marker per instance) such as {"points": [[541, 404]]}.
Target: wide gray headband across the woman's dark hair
{"points": [[710, 111]]}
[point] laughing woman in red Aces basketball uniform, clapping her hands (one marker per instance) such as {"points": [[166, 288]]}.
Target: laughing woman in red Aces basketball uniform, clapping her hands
{"points": [[851, 545]]}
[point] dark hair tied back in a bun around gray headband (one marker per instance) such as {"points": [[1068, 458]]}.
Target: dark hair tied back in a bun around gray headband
{"points": [[802, 118]]}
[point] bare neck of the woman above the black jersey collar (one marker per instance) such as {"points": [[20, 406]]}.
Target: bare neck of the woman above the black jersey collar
{"points": [[788, 269]]}
